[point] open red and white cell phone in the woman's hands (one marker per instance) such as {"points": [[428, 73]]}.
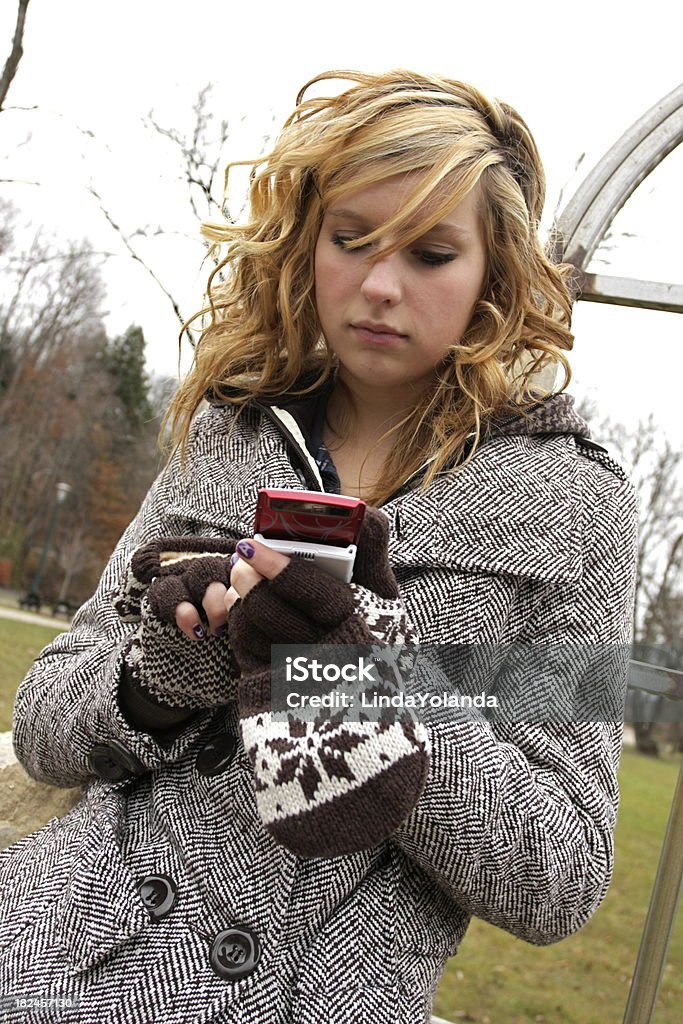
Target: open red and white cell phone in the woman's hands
{"points": [[312, 525]]}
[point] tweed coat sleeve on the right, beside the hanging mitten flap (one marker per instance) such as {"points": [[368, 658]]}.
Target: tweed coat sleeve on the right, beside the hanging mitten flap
{"points": [[517, 822]]}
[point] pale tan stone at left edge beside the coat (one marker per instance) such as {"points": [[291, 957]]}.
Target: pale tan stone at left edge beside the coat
{"points": [[25, 804]]}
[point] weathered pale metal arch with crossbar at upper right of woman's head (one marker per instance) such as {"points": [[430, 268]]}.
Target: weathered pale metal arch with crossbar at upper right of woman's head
{"points": [[585, 221]]}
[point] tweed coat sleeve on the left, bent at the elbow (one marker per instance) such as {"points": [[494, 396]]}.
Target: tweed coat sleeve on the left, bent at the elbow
{"points": [[69, 702]]}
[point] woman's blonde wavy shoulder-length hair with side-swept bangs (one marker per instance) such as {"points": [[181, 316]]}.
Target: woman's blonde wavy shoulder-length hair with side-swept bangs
{"points": [[262, 333]]}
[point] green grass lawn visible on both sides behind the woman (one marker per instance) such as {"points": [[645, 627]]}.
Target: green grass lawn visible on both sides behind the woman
{"points": [[497, 979]]}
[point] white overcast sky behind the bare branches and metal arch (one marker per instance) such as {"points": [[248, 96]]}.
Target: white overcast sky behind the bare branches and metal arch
{"points": [[579, 76]]}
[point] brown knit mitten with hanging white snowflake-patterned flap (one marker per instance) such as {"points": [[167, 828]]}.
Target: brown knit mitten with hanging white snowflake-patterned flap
{"points": [[341, 783]]}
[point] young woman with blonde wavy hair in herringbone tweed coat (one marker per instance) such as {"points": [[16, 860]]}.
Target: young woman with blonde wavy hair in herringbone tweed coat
{"points": [[377, 329]]}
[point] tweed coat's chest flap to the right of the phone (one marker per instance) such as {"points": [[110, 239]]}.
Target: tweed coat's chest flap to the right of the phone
{"points": [[517, 508]]}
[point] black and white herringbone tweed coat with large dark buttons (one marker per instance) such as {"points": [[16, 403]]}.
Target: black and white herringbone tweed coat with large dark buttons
{"points": [[533, 541]]}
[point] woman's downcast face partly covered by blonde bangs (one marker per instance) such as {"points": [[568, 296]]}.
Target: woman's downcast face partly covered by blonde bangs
{"points": [[391, 323]]}
